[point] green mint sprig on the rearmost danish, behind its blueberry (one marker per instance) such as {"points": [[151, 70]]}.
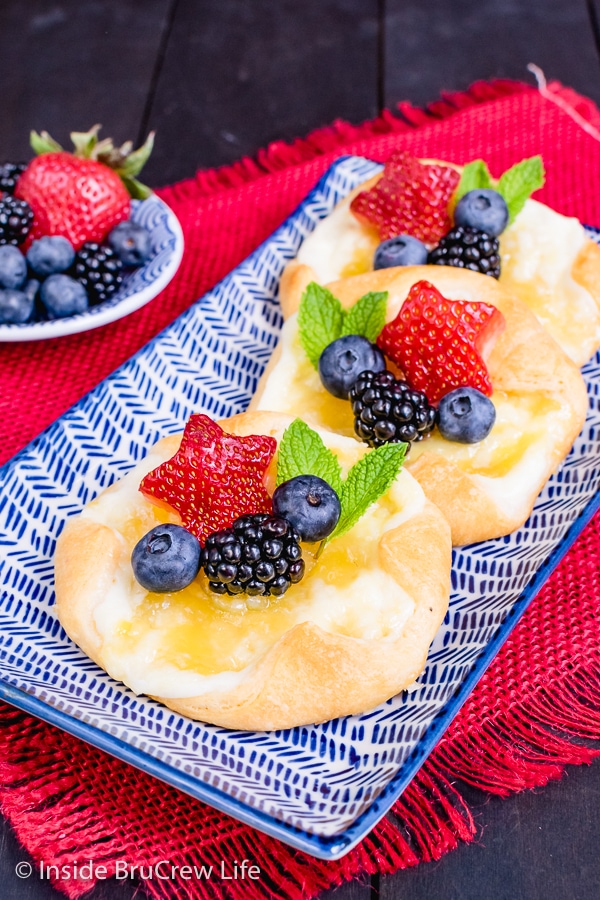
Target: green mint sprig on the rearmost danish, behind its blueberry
{"points": [[516, 184]]}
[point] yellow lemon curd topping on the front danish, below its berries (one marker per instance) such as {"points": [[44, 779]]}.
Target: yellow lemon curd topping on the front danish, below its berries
{"points": [[344, 591]]}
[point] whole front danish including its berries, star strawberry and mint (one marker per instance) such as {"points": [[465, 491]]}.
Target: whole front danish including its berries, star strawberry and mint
{"points": [[263, 625]]}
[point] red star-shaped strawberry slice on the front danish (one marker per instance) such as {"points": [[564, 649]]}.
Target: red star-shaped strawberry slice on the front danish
{"points": [[213, 478]]}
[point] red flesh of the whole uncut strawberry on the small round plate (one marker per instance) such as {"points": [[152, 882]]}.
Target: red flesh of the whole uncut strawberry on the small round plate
{"points": [[80, 199]]}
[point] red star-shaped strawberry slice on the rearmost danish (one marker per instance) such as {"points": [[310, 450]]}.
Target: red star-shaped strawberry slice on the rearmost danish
{"points": [[410, 198]]}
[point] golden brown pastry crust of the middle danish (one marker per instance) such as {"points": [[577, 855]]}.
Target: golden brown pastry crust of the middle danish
{"points": [[524, 360]]}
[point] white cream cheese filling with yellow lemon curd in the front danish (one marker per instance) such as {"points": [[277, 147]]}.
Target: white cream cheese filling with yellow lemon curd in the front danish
{"points": [[182, 645]]}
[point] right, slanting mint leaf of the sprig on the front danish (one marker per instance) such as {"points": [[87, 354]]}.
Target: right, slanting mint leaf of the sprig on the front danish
{"points": [[367, 480]]}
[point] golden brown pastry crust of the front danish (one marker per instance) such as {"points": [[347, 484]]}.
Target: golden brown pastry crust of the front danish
{"points": [[309, 675]]}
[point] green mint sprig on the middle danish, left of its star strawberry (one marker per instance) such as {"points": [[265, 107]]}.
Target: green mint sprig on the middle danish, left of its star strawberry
{"points": [[321, 319]]}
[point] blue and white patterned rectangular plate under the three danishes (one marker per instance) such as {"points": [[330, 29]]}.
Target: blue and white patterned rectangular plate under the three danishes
{"points": [[319, 788]]}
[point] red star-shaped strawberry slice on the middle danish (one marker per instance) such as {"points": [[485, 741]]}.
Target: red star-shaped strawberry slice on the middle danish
{"points": [[440, 344]]}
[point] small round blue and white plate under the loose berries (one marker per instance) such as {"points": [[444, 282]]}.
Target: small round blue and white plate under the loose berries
{"points": [[138, 288]]}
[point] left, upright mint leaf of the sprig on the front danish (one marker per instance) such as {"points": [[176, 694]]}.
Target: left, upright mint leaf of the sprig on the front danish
{"points": [[302, 452]]}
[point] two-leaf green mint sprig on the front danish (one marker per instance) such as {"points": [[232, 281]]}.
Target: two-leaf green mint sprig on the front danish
{"points": [[302, 452]]}
